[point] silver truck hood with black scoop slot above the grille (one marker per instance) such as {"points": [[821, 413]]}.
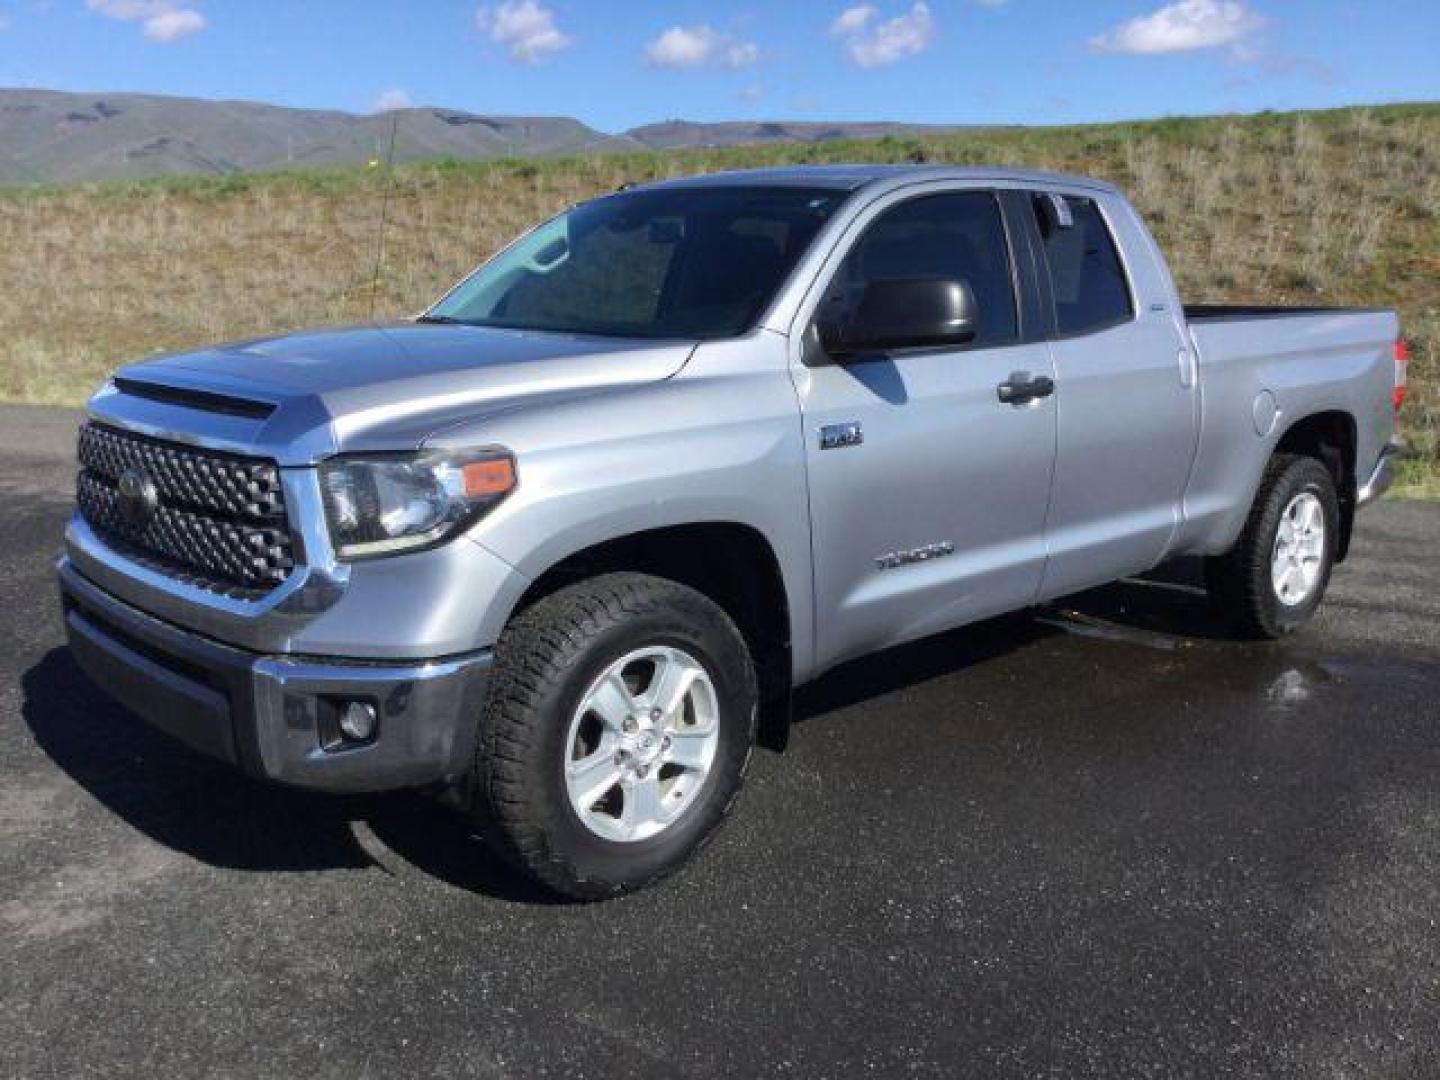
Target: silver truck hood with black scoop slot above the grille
{"points": [[303, 397]]}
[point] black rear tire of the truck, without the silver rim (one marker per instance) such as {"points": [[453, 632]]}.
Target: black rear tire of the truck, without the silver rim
{"points": [[1241, 582]]}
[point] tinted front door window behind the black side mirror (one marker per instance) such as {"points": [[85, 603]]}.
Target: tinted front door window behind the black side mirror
{"points": [[955, 237]]}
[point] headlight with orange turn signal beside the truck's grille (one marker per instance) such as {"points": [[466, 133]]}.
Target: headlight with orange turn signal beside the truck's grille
{"points": [[401, 503]]}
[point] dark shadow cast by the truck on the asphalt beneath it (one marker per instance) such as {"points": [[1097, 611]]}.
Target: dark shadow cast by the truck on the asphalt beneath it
{"points": [[210, 811]]}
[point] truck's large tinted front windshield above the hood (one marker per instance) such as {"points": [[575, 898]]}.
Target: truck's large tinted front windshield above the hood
{"points": [[699, 263]]}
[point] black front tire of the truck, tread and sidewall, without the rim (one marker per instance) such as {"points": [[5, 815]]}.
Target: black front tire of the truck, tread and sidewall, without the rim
{"points": [[545, 662]]}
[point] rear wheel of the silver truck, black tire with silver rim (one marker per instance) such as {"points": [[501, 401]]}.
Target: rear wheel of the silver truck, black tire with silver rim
{"points": [[1275, 577]]}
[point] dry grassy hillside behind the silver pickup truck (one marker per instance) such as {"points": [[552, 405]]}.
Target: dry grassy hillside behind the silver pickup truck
{"points": [[1337, 207]]}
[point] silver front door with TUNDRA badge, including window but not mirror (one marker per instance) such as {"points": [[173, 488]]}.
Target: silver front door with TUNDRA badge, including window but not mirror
{"points": [[928, 493]]}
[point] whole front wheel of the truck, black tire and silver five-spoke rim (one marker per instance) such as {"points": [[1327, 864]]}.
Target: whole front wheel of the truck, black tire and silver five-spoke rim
{"points": [[617, 734]]}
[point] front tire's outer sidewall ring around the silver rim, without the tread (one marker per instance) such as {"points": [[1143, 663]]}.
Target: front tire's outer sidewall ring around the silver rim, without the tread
{"points": [[716, 646]]}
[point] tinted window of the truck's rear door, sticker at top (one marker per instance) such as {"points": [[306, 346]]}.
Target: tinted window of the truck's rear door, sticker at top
{"points": [[1086, 274]]}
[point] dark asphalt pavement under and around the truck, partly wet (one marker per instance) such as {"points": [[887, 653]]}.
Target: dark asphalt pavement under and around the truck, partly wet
{"points": [[1095, 843]]}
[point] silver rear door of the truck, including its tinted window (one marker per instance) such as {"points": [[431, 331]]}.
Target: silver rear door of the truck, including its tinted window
{"points": [[1128, 407]]}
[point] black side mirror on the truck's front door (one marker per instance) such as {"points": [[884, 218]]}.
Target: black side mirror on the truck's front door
{"points": [[906, 313]]}
